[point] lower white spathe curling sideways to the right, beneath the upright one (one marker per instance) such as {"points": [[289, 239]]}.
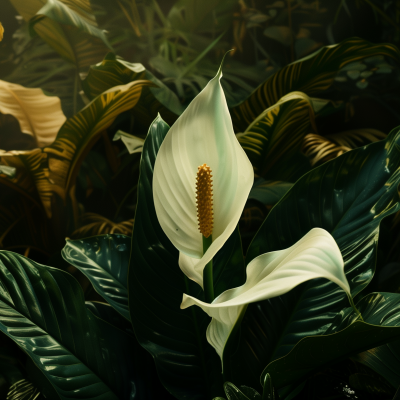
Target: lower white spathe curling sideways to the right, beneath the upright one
{"points": [[316, 255]]}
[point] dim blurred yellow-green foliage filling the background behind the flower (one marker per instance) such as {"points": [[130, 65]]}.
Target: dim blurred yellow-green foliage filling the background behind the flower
{"points": [[163, 53]]}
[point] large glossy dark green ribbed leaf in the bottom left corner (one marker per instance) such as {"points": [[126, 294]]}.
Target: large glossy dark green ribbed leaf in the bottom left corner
{"points": [[42, 310]]}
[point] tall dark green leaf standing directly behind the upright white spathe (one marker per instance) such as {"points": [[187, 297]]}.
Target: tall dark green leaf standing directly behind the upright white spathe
{"points": [[187, 365]]}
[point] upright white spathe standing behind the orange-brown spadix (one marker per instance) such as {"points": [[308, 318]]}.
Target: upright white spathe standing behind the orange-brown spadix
{"points": [[202, 134]]}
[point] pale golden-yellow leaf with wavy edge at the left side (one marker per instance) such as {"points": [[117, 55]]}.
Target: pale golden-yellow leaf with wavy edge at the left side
{"points": [[38, 115]]}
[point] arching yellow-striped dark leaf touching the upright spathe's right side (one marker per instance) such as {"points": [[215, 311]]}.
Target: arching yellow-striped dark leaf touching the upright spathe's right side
{"points": [[273, 140]]}
